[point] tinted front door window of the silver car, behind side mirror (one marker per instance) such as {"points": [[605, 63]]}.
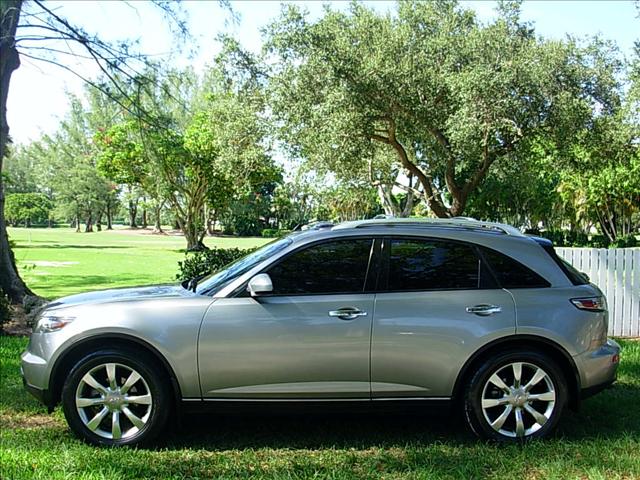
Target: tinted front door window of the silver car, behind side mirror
{"points": [[333, 267]]}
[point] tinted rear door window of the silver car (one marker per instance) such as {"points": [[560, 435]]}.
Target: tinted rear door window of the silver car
{"points": [[432, 265]]}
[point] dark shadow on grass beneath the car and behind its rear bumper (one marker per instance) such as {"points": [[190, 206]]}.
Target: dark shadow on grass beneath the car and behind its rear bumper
{"points": [[361, 429]]}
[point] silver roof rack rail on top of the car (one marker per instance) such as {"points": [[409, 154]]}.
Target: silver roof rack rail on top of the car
{"points": [[465, 223]]}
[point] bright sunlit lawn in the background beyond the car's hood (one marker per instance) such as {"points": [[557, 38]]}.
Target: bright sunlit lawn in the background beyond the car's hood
{"points": [[58, 262]]}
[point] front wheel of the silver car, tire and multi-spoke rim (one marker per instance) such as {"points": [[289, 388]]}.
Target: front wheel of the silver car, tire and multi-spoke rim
{"points": [[116, 397]]}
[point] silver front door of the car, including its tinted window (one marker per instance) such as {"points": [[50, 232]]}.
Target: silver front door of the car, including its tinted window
{"points": [[309, 338]]}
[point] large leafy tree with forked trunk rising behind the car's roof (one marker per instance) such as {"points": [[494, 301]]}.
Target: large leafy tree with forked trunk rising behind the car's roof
{"points": [[446, 95]]}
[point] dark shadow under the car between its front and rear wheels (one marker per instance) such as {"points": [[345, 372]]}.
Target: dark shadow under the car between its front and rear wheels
{"points": [[217, 432]]}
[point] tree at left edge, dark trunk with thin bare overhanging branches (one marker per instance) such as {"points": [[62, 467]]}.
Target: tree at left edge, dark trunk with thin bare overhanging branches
{"points": [[21, 31]]}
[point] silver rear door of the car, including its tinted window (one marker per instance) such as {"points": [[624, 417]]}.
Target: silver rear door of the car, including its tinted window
{"points": [[437, 304]]}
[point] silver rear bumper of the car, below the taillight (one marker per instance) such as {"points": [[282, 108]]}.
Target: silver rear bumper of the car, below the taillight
{"points": [[598, 368]]}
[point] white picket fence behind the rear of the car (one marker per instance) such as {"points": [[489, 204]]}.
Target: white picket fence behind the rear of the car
{"points": [[617, 272]]}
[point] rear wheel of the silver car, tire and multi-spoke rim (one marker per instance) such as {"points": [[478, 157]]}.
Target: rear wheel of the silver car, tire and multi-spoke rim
{"points": [[499, 407]]}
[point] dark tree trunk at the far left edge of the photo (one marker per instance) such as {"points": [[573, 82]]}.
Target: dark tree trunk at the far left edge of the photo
{"points": [[10, 281]]}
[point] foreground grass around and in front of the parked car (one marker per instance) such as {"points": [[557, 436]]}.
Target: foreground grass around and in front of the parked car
{"points": [[600, 442]]}
